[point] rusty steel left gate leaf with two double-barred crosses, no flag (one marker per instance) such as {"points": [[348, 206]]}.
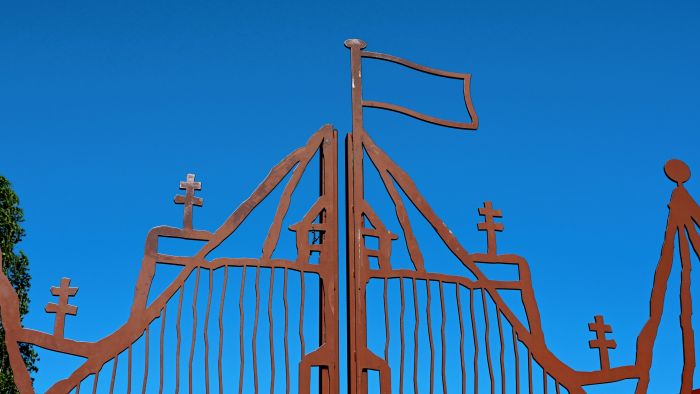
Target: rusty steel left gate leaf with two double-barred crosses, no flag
{"points": [[321, 219]]}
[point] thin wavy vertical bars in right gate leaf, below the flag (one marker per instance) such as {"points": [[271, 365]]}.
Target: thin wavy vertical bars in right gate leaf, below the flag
{"points": [[487, 329]]}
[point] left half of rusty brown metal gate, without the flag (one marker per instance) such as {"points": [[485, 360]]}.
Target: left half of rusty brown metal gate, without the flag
{"points": [[116, 362]]}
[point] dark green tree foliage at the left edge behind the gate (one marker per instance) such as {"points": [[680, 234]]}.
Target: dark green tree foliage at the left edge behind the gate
{"points": [[16, 268]]}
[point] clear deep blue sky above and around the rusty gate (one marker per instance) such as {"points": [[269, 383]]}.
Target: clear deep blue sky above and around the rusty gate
{"points": [[104, 107]]}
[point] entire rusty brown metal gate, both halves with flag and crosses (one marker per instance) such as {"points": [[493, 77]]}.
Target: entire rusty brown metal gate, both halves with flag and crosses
{"points": [[492, 348]]}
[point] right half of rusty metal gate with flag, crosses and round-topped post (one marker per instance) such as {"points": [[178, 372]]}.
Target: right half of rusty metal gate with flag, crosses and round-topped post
{"points": [[493, 319]]}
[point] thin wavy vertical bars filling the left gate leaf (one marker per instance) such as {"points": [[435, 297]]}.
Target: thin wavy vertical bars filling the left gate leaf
{"points": [[109, 372]]}
